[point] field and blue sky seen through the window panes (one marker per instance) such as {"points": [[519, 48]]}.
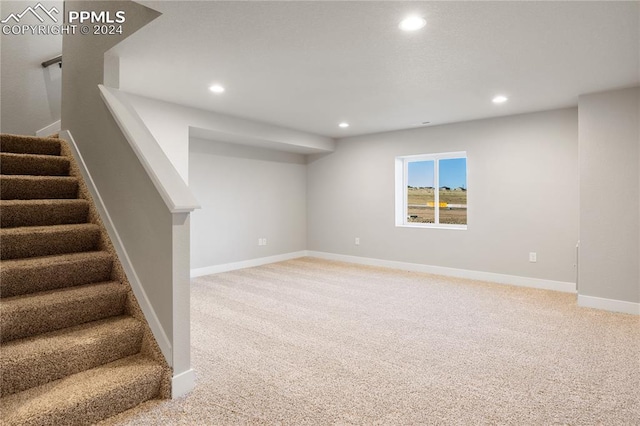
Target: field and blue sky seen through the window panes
{"points": [[452, 193]]}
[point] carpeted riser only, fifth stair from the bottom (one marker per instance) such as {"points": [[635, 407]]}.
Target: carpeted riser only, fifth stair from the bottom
{"points": [[20, 246]]}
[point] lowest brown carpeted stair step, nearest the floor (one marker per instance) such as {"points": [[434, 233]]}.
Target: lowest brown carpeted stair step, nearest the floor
{"points": [[86, 397]]}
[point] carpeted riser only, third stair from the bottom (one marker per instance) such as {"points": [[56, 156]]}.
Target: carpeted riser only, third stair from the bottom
{"points": [[17, 324]]}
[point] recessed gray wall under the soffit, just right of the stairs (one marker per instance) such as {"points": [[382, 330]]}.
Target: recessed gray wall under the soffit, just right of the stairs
{"points": [[246, 193]]}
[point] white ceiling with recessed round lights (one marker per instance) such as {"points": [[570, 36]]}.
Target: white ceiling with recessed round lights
{"points": [[310, 65]]}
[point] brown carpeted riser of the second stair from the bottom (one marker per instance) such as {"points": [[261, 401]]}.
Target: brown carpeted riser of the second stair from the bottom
{"points": [[25, 373]]}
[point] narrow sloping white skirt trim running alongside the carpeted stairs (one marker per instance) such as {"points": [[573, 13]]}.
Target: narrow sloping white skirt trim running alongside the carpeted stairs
{"points": [[145, 304]]}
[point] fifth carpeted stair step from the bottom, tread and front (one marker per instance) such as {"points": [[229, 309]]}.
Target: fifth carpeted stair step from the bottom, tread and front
{"points": [[32, 241]]}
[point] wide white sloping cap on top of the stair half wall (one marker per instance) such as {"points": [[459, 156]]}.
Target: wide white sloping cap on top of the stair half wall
{"points": [[175, 193]]}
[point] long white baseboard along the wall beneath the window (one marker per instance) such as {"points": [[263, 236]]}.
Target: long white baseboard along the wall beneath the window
{"points": [[566, 287]]}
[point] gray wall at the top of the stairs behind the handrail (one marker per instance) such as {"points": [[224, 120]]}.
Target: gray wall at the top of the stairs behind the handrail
{"points": [[30, 94]]}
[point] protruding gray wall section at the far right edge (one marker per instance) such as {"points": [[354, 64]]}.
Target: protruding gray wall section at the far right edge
{"points": [[609, 200]]}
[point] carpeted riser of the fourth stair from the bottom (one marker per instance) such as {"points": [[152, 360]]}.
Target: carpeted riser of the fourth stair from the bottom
{"points": [[19, 281]]}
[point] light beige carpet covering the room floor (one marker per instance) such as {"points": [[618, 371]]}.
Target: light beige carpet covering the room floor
{"points": [[312, 342]]}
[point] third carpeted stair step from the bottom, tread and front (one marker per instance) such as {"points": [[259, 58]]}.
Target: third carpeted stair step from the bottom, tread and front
{"points": [[32, 314]]}
